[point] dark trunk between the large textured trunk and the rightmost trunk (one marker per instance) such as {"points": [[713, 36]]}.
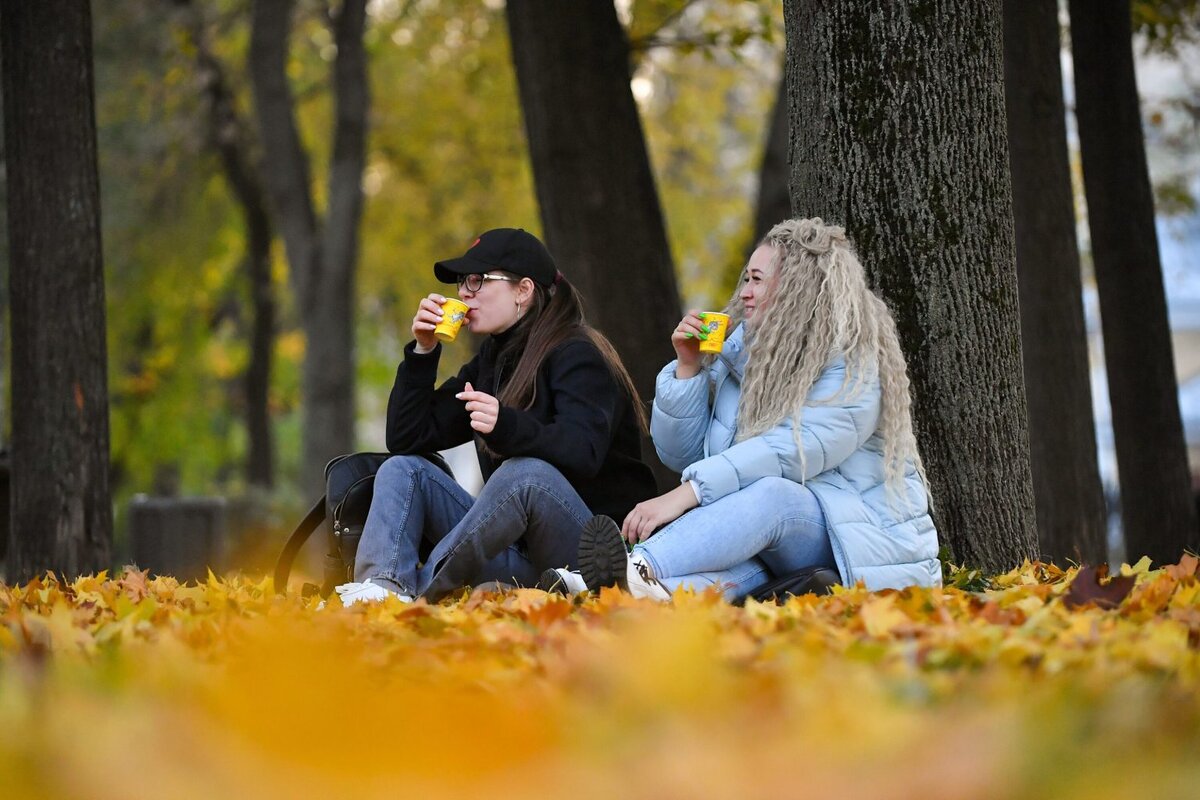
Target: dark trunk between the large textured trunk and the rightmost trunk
{"points": [[1063, 431]]}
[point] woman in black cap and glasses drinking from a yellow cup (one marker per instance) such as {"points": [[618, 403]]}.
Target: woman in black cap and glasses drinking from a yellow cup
{"points": [[556, 423]]}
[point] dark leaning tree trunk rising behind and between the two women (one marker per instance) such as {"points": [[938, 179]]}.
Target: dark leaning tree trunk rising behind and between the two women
{"points": [[599, 206]]}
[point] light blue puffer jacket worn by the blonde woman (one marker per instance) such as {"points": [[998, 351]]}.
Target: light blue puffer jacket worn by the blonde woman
{"points": [[884, 542]]}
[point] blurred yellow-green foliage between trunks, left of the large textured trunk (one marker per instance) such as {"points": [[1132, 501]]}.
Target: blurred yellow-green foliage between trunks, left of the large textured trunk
{"points": [[447, 159]]}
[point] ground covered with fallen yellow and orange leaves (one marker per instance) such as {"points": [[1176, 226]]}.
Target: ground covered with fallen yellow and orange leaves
{"points": [[1040, 683]]}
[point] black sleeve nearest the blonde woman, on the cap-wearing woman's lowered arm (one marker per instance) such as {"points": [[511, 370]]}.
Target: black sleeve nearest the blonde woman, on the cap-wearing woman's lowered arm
{"points": [[586, 401]]}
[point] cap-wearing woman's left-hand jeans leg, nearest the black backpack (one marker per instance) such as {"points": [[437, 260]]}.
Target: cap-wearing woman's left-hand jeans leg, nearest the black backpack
{"points": [[413, 498]]}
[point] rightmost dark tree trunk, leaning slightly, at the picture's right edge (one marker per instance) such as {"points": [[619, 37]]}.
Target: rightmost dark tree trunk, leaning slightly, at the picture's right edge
{"points": [[1156, 501]]}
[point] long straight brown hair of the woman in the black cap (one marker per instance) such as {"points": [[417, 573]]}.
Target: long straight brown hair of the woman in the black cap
{"points": [[556, 316]]}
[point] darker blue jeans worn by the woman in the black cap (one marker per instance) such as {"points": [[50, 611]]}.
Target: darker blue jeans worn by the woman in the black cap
{"points": [[526, 520]]}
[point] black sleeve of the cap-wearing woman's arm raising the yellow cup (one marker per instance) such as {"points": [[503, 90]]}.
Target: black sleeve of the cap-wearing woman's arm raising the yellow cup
{"points": [[421, 418]]}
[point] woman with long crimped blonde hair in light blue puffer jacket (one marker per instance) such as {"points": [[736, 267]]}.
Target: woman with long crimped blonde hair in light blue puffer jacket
{"points": [[796, 443]]}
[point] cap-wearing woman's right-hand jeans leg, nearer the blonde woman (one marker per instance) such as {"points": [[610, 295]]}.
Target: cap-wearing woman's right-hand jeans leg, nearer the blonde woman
{"points": [[526, 498]]}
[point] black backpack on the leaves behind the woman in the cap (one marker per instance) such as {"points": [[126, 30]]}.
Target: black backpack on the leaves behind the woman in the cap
{"points": [[350, 486]]}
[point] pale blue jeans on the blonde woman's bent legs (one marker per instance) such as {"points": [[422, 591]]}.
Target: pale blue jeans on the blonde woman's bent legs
{"points": [[740, 543]]}
